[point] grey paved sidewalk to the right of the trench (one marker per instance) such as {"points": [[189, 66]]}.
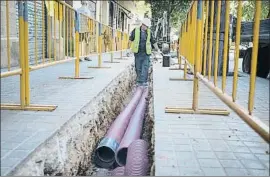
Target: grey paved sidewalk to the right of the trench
{"points": [[204, 145]]}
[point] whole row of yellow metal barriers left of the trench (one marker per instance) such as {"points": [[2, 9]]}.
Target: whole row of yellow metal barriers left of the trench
{"points": [[55, 34]]}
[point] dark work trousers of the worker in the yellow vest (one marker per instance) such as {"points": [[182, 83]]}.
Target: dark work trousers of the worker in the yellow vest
{"points": [[142, 63]]}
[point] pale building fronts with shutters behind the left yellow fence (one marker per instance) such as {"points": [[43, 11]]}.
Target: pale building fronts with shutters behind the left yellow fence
{"points": [[46, 25]]}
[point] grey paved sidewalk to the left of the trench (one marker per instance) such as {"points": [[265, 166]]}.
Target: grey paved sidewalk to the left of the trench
{"points": [[22, 132]]}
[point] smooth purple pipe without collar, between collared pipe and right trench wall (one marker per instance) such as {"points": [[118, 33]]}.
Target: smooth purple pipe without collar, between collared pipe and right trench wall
{"points": [[133, 131]]}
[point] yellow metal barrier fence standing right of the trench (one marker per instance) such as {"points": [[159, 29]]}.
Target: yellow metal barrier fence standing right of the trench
{"points": [[193, 50]]}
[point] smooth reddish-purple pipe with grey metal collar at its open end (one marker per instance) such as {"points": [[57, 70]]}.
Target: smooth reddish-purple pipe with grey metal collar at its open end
{"points": [[105, 152]]}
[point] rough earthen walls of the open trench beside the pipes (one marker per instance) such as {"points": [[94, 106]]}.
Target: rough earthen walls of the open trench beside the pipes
{"points": [[71, 149]]}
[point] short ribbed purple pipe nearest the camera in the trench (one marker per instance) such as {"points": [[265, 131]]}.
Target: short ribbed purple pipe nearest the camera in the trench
{"points": [[137, 159]]}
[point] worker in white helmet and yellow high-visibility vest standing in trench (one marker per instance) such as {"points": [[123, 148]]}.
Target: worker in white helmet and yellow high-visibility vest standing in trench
{"points": [[142, 40]]}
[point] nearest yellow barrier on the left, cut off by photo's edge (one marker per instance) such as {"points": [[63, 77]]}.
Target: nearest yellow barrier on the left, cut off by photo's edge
{"points": [[24, 70]]}
